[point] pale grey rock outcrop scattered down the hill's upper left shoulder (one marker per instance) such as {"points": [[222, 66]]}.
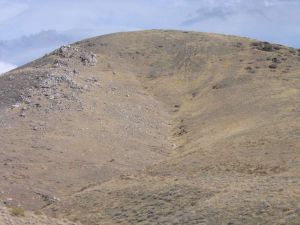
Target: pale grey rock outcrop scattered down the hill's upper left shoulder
{"points": [[58, 83]]}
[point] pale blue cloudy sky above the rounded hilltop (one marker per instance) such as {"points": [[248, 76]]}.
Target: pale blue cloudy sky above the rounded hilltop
{"points": [[31, 28]]}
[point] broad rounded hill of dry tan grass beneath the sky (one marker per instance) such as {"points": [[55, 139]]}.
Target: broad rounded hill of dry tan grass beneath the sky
{"points": [[155, 127]]}
